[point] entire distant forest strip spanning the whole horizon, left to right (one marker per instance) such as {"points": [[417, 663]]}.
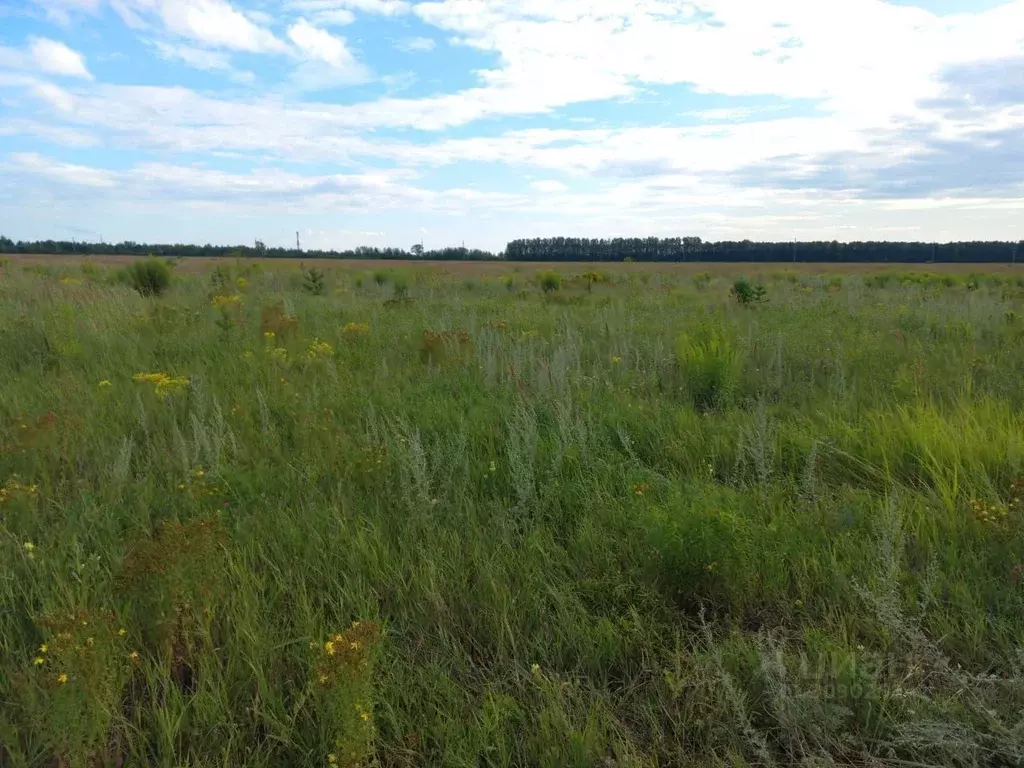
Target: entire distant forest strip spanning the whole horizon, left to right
{"points": [[576, 249]]}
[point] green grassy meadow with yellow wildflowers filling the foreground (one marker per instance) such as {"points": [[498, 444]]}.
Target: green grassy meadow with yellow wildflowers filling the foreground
{"points": [[436, 519]]}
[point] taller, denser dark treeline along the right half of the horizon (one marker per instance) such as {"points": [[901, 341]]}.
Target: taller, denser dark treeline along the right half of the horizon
{"points": [[694, 249]]}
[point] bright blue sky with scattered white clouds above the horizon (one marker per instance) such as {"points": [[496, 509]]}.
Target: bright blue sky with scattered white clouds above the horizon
{"points": [[450, 122]]}
